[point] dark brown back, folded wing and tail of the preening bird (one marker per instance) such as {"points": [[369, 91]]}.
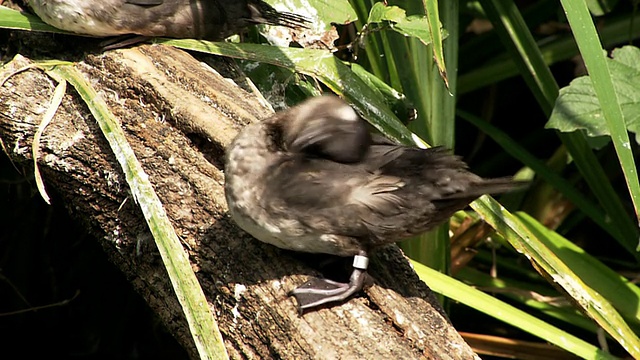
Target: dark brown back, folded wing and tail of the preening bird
{"points": [[394, 193]]}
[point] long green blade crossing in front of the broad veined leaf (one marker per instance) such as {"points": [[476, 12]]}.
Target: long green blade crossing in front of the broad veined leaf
{"points": [[595, 60]]}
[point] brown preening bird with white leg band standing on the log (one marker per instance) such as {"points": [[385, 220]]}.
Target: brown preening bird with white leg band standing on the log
{"points": [[314, 179]]}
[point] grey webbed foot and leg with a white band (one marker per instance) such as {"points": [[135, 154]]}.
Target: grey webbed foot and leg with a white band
{"points": [[316, 292]]}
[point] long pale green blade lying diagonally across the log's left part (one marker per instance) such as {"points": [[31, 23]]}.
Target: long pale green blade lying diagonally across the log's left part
{"points": [[203, 326]]}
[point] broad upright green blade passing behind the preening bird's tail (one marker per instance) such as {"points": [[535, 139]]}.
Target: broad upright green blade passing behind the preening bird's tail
{"points": [[422, 84]]}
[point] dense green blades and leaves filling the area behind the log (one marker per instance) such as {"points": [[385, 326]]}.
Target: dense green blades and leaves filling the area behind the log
{"points": [[485, 78]]}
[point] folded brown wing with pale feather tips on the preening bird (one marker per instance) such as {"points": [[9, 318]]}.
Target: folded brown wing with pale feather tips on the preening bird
{"points": [[336, 198]]}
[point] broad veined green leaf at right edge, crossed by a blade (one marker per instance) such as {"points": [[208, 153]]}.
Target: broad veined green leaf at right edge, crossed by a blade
{"points": [[578, 107]]}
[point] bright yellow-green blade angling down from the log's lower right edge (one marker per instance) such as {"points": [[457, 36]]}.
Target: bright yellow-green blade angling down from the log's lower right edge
{"points": [[491, 306]]}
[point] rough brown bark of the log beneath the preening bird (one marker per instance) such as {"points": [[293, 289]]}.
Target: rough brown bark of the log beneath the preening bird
{"points": [[178, 116]]}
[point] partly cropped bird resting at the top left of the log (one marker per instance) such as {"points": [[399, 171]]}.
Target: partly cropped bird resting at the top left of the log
{"points": [[195, 19]]}
